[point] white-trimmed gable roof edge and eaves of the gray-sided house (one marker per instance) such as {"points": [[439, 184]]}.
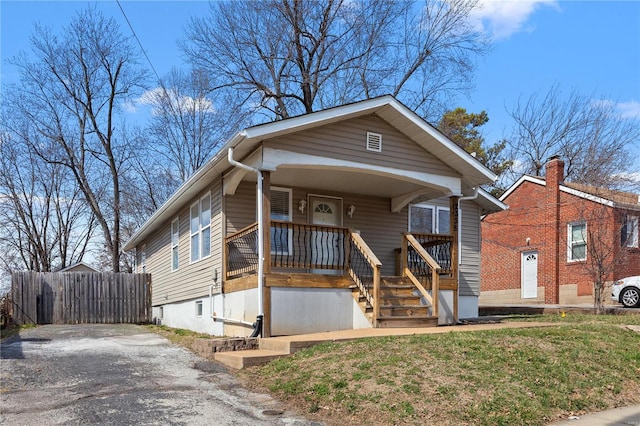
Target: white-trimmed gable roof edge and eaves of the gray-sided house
{"points": [[472, 171]]}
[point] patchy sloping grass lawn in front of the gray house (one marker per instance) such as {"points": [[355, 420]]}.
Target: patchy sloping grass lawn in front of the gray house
{"points": [[503, 377]]}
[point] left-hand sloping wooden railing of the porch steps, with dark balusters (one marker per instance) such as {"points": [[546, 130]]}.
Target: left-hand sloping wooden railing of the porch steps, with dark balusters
{"points": [[364, 269]]}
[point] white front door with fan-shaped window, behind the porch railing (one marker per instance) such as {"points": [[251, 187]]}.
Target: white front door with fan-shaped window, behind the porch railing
{"points": [[327, 245]]}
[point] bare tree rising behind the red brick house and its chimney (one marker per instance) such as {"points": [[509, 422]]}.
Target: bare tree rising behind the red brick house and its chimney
{"points": [[595, 142]]}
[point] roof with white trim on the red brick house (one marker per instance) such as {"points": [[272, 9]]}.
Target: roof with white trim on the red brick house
{"points": [[604, 196]]}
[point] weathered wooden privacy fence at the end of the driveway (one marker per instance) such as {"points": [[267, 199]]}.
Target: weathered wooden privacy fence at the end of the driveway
{"points": [[80, 297]]}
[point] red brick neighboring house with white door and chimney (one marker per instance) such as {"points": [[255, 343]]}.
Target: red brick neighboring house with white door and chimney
{"points": [[539, 249]]}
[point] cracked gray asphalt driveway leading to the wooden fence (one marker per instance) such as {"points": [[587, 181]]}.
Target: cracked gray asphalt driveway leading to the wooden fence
{"points": [[120, 375]]}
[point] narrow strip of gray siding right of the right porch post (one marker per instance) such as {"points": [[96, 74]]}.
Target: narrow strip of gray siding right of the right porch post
{"points": [[470, 250]]}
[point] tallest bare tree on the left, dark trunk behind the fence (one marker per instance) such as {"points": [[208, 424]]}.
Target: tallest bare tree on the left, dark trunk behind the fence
{"points": [[71, 93]]}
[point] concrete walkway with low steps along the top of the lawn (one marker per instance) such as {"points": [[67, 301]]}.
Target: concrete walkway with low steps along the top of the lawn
{"points": [[278, 347]]}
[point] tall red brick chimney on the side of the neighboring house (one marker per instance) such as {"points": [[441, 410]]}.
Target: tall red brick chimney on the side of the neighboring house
{"points": [[554, 177]]}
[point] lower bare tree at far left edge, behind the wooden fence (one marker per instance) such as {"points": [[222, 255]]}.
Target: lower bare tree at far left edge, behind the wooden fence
{"points": [[46, 224]]}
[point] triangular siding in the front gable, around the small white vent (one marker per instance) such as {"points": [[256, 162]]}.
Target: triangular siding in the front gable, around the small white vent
{"points": [[347, 141]]}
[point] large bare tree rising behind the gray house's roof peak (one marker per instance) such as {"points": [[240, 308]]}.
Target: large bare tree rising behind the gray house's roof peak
{"points": [[289, 57]]}
